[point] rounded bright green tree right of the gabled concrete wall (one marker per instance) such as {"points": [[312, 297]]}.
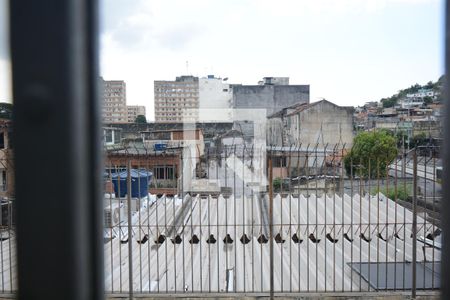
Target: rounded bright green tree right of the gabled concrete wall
{"points": [[371, 154]]}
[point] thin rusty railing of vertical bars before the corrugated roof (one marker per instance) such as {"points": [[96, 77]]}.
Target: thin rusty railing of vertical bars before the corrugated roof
{"points": [[275, 221]]}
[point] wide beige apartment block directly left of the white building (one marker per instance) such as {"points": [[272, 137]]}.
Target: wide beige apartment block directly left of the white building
{"points": [[177, 101]]}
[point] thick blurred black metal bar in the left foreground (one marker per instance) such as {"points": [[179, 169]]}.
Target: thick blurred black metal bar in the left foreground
{"points": [[55, 94]]}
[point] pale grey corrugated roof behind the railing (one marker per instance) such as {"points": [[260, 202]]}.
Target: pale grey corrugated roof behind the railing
{"points": [[359, 229]]}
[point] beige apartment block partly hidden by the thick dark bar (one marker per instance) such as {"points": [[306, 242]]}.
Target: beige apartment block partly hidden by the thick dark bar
{"points": [[114, 102]]}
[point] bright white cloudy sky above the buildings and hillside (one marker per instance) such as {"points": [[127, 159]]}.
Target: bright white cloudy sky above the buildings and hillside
{"points": [[348, 51]]}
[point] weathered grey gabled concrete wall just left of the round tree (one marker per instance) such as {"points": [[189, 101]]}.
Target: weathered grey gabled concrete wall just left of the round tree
{"points": [[322, 123]]}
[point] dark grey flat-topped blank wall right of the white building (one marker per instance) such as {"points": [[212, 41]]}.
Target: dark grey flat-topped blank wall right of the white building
{"points": [[270, 97]]}
